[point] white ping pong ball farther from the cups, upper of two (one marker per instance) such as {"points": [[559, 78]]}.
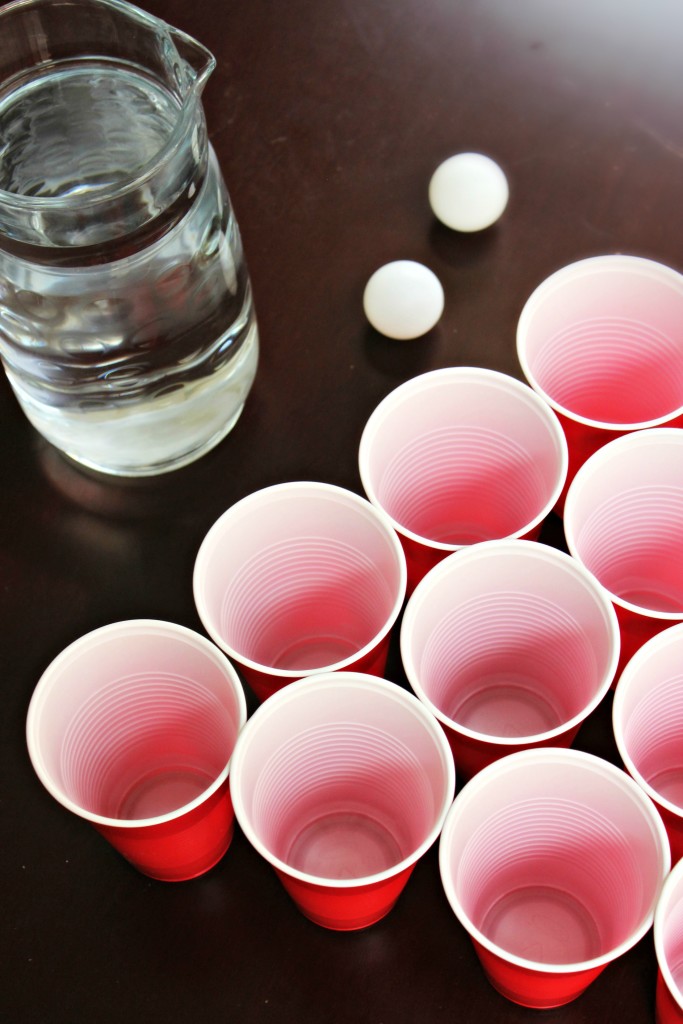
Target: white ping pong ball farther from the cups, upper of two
{"points": [[468, 192]]}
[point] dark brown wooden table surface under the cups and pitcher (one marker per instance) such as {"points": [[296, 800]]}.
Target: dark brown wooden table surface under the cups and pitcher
{"points": [[329, 119]]}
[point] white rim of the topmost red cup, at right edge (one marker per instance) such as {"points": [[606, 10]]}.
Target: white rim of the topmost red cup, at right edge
{"points": [[554, 282]]}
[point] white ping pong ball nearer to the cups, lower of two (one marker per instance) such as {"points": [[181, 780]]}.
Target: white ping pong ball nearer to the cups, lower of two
{"points": [[404, 300]]}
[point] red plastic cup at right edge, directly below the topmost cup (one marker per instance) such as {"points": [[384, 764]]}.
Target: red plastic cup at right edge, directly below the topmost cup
{"points": [[624, 523]]}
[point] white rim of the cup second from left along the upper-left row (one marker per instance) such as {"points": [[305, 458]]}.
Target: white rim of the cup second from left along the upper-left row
{"points": [[203, 558]]}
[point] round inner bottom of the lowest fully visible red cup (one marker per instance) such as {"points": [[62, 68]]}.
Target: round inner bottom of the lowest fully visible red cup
{"points": [[543, 924]]}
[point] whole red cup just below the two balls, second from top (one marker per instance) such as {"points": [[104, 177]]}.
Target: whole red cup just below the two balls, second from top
{"points": [[462, 455]]}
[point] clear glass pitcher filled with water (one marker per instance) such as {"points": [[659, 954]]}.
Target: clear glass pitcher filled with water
{"points": [[127, 329]]}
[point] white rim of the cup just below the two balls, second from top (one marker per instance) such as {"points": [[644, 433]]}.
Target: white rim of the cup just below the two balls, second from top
{"points": [[423, 382]]}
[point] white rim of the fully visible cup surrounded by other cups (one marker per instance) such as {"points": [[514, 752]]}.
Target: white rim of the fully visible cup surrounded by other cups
{"points": [[492, 548]]}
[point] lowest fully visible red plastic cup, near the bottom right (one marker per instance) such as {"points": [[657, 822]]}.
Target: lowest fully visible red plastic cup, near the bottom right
{"points": [[552, 861]]}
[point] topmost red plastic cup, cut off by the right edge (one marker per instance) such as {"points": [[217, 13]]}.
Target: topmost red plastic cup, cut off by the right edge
{"points": [[602, 342]]}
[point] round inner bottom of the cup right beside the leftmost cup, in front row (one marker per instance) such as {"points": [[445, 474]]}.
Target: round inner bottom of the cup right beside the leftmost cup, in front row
{"points": [[345, 846]]}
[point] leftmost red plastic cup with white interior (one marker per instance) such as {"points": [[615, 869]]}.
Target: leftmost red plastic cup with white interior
{"points": [[133, 729]]}
